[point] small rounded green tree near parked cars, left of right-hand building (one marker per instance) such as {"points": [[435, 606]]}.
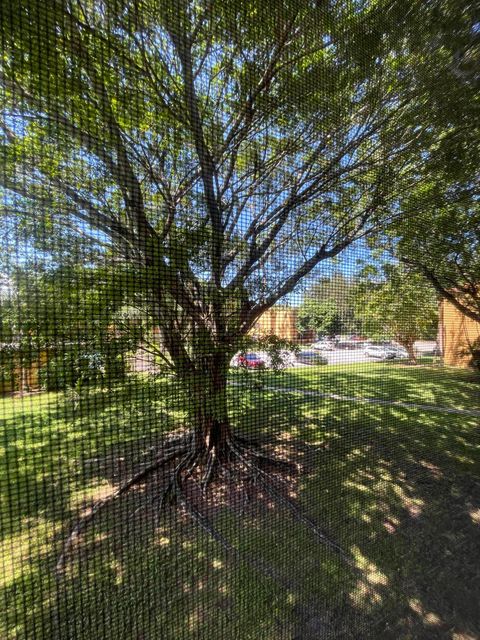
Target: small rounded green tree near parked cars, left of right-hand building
{"points": [[402, 306]]}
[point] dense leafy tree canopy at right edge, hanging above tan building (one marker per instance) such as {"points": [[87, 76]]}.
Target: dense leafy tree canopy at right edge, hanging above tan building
{"points": [[438, 234]]}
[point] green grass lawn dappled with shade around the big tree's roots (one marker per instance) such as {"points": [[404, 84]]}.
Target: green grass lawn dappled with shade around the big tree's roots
{"points": [[398, 488]]}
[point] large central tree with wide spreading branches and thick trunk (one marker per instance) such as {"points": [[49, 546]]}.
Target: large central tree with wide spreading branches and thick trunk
{"points": [[218, 150]]}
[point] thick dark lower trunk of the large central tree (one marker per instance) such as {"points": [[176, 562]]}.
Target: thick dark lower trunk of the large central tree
{"points": [[206, 389]]}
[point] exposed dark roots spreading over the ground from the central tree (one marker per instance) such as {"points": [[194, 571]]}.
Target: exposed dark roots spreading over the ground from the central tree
{"points": [[207, 467]]}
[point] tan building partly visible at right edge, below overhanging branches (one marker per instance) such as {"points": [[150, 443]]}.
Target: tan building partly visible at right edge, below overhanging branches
{"points": [[458, 336]]}
